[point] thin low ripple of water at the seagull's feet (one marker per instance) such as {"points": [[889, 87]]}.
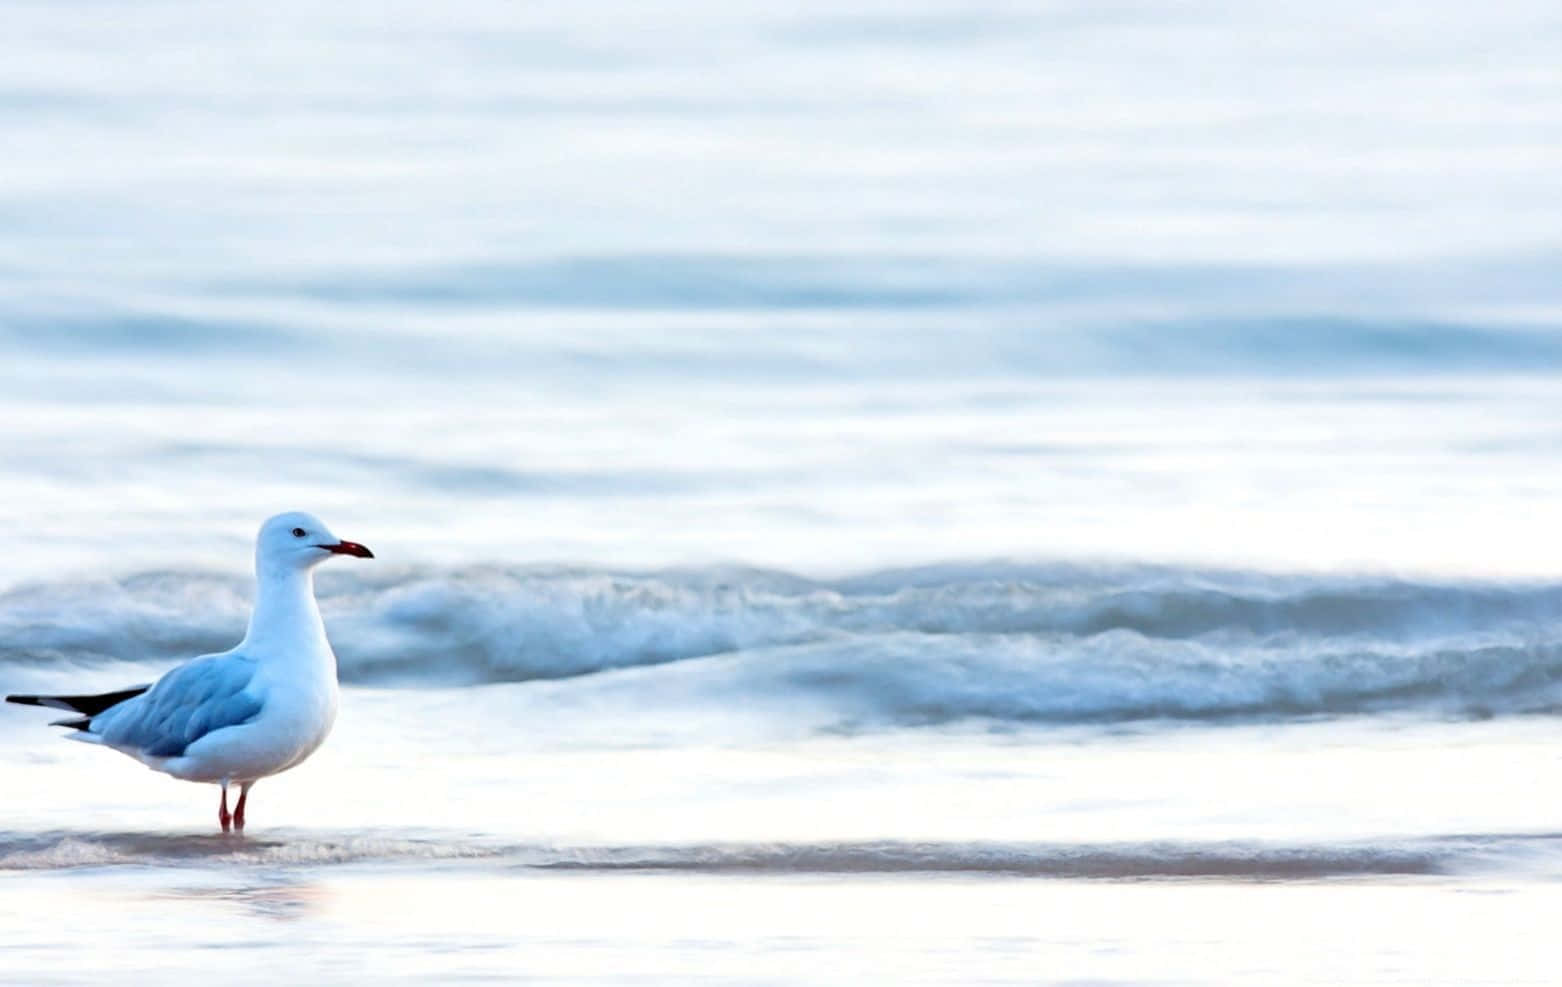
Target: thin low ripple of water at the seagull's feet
{"points": [[1244, 861]]}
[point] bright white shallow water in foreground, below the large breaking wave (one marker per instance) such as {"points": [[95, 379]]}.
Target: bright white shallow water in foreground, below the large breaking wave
{"points": [[1330, 852]]}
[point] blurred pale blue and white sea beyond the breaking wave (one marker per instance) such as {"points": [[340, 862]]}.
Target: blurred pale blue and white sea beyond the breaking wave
{"points": [[821, 288]]}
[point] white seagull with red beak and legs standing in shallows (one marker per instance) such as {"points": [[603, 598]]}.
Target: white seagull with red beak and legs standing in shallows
{"points": [[248, 713]]}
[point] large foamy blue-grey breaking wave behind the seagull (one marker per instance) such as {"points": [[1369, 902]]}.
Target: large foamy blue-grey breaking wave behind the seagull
{"points": [[1043, 644]]}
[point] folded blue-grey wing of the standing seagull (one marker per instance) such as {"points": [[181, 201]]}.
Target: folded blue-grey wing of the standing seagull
{"points": [[184, 707]]}
